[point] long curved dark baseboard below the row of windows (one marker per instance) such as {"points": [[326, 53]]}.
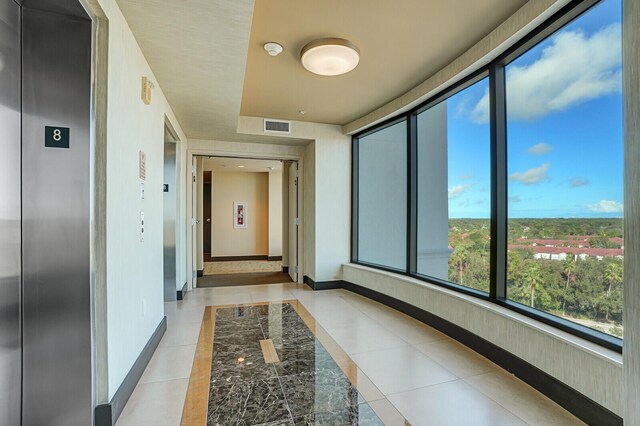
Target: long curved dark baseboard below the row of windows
{"points": [[573, 401]]}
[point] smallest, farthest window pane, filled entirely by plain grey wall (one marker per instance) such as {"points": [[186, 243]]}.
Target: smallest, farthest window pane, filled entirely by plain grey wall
{"points": [[382, 201]]}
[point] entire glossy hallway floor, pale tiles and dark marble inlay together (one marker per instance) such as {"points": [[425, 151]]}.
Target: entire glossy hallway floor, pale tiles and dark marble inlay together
{"points": [[389, 367]]}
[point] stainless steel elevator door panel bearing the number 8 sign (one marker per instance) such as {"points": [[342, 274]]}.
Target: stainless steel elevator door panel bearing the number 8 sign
{"points": [[56, 79]]}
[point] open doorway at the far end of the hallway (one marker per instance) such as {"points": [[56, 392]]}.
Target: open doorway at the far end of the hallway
{"points": [[245, 230]]}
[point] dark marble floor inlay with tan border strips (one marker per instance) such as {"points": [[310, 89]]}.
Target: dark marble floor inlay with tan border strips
{"points": [[291, 380]]}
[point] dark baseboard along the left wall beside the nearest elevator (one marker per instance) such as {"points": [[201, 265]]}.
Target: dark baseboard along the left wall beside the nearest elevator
{"points": [[107, 414]]}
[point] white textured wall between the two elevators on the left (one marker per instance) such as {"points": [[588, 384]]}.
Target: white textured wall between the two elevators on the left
{"points": [[134, 294]]}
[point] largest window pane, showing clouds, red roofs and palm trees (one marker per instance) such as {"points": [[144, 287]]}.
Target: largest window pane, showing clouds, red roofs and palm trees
{"points": [[565, 180]]}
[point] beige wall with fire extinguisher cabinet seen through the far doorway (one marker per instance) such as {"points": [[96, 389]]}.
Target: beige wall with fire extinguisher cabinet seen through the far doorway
{"points": [[226, 188]]}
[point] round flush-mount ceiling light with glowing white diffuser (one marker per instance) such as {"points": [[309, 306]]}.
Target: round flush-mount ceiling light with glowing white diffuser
{"points": [[330, 56]]}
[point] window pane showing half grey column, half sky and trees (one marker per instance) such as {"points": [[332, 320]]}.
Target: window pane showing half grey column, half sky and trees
{"points": [[454, 190]]}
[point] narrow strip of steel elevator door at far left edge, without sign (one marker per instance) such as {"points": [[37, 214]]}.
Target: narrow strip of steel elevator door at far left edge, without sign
{"points": [[10, 346]]}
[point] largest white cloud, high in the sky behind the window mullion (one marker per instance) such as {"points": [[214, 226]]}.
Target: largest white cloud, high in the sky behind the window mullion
{"points": [[574, 68]]}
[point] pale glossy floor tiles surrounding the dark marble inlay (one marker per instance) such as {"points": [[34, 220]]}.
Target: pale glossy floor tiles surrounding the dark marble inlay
{"points": [[415, 372]]}
